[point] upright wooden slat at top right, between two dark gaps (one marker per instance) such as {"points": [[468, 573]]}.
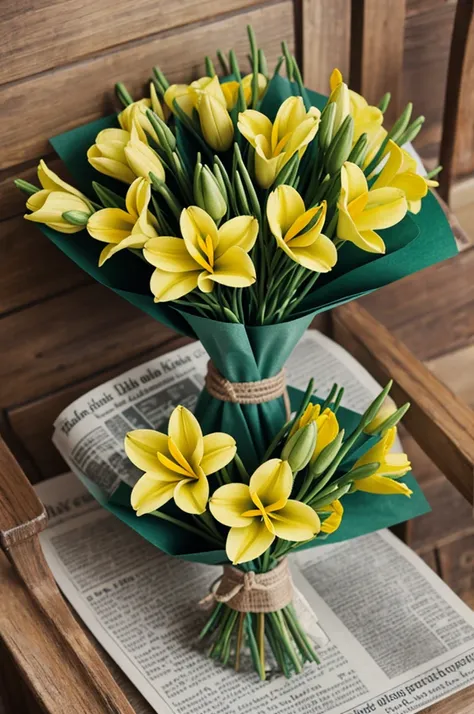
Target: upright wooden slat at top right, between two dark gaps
{"points": [[377, 39]]}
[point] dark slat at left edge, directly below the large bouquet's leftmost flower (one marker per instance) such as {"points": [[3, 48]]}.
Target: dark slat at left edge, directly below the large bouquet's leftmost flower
{"points": [[32, 267]]}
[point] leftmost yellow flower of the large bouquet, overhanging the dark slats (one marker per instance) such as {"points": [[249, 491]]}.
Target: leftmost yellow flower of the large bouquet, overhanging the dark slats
{"points": [[55, 198]]}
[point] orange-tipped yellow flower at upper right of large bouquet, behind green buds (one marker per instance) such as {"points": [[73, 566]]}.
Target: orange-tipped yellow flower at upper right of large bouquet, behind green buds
{"points": [[367, 118]]}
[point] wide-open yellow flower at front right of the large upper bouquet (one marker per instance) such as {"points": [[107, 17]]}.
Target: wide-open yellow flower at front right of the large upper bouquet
{"points": [[362, 212]]}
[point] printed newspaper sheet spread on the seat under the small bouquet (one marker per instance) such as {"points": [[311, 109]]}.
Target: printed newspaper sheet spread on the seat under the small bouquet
{"points": [[397, 638]]}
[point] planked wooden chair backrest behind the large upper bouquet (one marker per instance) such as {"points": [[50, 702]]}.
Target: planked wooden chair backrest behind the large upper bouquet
{"points": [[61, 334]]}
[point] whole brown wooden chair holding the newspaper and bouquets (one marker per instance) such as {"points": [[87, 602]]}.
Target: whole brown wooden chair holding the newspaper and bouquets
{"points": [[60, 332]]}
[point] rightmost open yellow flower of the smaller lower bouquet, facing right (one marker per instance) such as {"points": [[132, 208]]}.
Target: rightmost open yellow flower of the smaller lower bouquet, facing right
{"points": [[392, 466]]}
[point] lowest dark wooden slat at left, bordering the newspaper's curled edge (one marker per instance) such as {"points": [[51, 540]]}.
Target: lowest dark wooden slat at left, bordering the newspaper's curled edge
{"points": [[32, 423]]}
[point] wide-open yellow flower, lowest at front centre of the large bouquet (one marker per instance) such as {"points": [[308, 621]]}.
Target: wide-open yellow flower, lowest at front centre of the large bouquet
{"points": [[204, 256]]}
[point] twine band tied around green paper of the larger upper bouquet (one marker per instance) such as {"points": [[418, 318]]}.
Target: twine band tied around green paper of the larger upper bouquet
{"points": [[264, 390]]}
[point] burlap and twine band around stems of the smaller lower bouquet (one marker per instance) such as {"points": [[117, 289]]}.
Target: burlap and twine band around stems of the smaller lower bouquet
{"points": [[252, 592]]}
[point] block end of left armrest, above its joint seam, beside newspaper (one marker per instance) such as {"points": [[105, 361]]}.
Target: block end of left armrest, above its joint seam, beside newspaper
{"points": [[21, 512]]}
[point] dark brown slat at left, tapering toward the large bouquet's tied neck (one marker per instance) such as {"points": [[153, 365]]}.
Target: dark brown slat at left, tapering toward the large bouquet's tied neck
{"points": [[62, 340]]}
